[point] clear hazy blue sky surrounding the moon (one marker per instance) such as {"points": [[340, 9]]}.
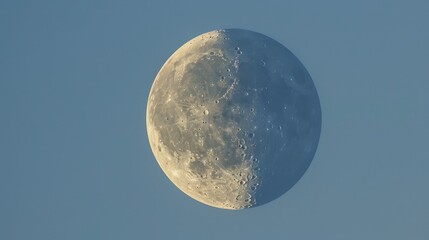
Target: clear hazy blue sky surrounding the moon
{"points": [[75, 162]]}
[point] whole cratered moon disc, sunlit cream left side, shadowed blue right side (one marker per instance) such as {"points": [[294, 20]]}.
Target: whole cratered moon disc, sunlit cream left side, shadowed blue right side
{"points": [[233, 119]]}
